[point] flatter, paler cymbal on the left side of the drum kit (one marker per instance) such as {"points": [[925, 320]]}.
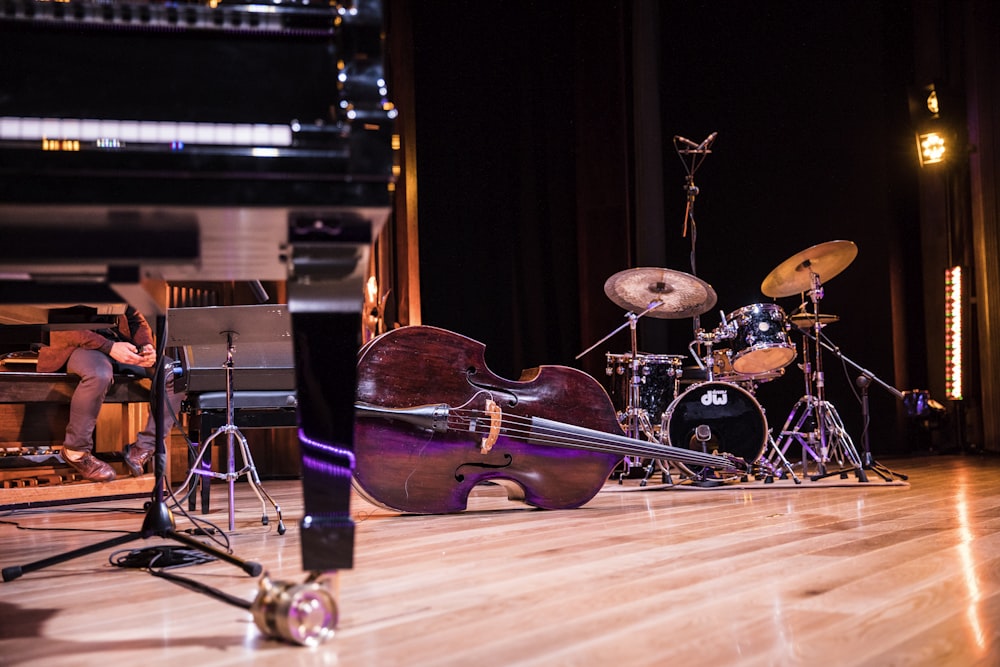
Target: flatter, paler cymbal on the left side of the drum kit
{"points": [[681, 294]]}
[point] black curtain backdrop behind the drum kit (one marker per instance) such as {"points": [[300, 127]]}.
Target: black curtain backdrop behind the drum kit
{"points": [[533, 170]]}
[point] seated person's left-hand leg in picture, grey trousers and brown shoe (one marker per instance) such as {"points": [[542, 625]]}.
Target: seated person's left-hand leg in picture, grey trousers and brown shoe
{"points": [[95, 371]]}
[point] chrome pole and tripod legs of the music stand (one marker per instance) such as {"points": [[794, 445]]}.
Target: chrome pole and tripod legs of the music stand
{"points": [[233, 435]]}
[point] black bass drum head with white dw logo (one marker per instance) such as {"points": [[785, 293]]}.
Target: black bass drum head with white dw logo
{"points": [[718, 416]]}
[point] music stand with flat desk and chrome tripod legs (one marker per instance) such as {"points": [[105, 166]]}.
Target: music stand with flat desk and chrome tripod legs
{"points": [[214, 331]]}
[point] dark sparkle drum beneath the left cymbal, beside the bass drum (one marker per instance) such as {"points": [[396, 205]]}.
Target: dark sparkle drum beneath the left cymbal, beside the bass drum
{"points": [[657, 379]]}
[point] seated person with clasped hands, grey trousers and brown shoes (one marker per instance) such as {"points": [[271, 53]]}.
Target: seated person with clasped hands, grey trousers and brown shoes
{"points": [[95, 355]]}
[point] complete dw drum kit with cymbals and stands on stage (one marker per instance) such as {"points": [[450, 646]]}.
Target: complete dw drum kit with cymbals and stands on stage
{"points": [[712, 407]]}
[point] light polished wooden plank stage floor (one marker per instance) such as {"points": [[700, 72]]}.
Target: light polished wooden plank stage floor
{"points": [[857, 574]]}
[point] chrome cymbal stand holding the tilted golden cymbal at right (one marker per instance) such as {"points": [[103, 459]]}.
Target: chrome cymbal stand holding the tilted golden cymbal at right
{"points": [[833, 440]]}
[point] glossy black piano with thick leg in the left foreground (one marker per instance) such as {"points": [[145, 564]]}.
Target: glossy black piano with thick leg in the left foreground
{"points": [[147, 143]]}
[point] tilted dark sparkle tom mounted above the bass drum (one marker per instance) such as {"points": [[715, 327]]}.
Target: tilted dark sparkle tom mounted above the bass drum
{"points": [[760, 343]]}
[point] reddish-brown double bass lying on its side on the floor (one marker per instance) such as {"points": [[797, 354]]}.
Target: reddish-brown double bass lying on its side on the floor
{"points": [[432, 422]]}
